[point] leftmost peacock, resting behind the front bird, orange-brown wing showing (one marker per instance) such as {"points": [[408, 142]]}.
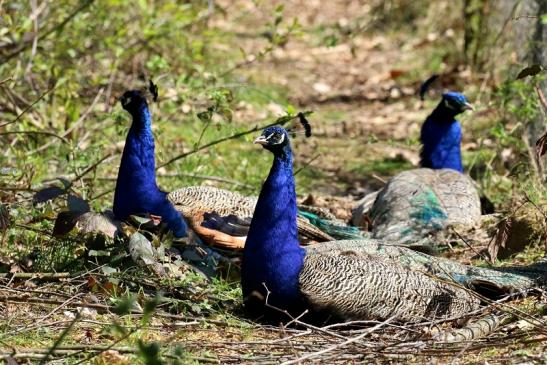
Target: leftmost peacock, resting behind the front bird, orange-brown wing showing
{"points": [[218, 216]]}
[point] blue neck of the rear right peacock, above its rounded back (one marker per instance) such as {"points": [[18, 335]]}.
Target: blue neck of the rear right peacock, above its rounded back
{"points": [[441, 140]]}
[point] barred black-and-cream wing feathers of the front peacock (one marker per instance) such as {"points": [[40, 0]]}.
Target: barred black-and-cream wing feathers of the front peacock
{"points": [[360, 287]]}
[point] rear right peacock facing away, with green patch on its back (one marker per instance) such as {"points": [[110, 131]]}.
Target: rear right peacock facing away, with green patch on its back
{"points": [[418, 202]]}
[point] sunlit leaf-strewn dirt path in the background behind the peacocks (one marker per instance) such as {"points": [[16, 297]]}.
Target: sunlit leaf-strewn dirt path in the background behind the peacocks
{"points": [[365, 110]]}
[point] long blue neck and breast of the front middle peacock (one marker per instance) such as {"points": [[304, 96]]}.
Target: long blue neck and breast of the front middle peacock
{"points": [[272, 253]]}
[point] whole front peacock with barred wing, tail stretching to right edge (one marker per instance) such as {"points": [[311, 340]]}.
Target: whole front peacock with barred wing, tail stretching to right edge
{"points": [[351, 279]]}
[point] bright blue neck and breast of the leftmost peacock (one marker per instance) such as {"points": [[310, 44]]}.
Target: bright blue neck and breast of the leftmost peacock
{"points": [[136, 189]]}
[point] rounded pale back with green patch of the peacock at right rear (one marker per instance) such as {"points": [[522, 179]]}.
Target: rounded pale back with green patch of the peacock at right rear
{"points": [[420, 202]]}
